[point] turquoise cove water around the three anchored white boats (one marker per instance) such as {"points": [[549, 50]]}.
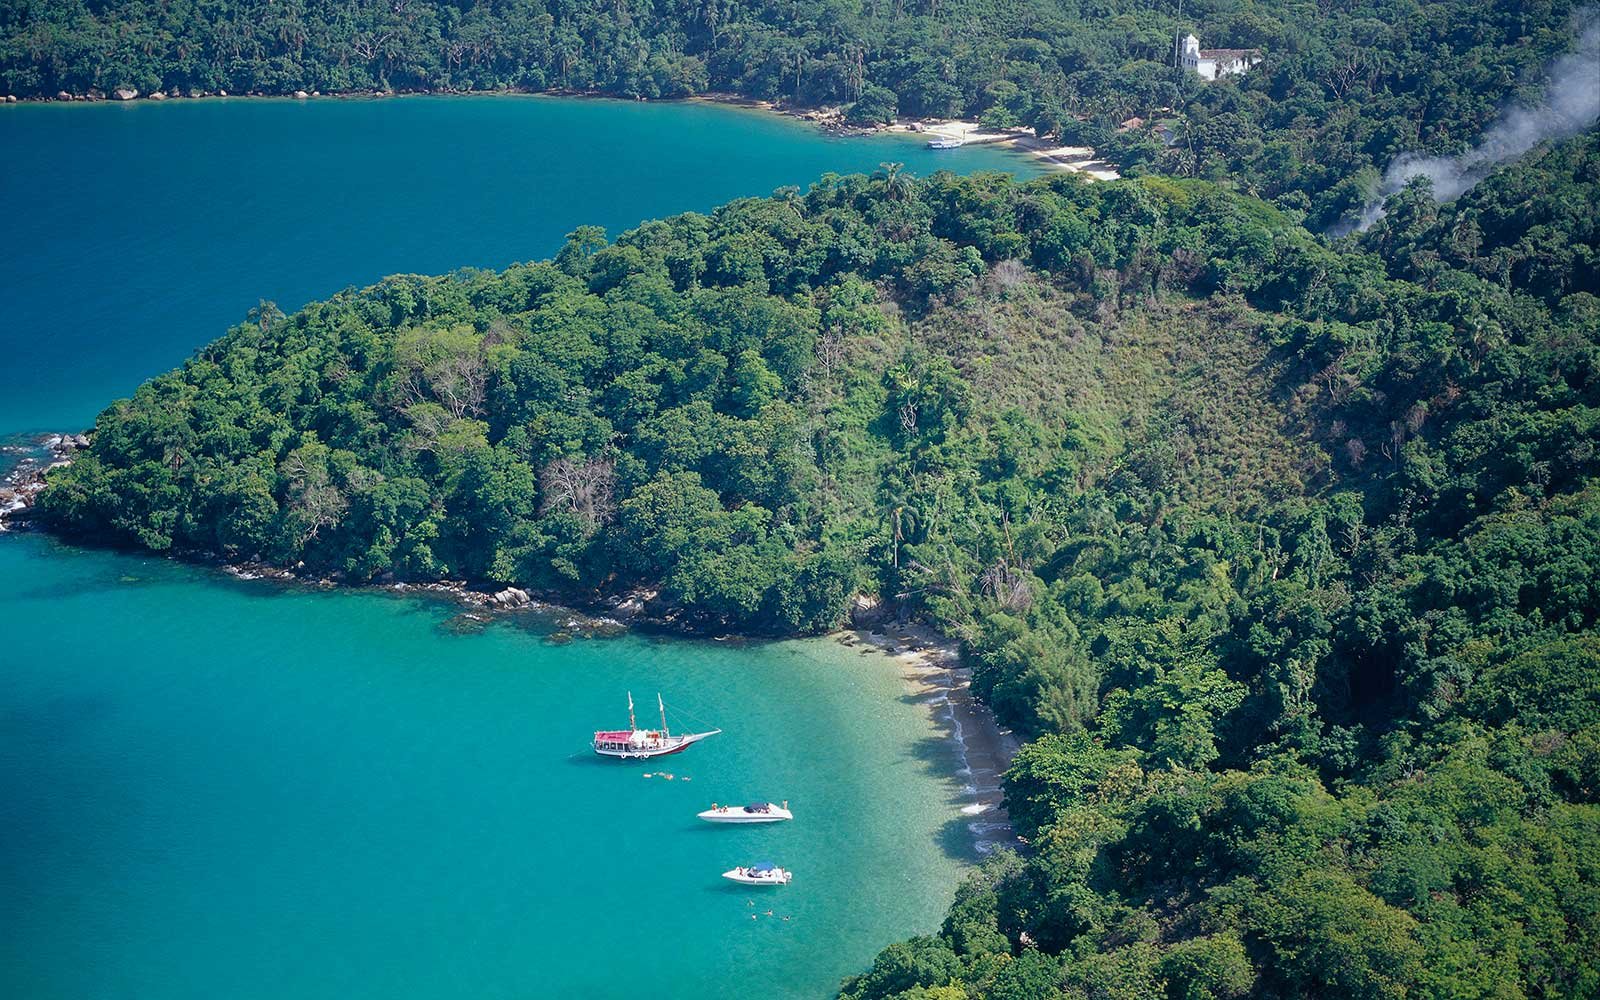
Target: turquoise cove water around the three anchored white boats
{"points": [[225, 790]]}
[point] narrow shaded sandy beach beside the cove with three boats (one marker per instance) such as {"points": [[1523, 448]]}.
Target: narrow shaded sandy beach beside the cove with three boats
{"points": [[934, 673]]}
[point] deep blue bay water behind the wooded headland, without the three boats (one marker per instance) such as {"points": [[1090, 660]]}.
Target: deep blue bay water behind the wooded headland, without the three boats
{"points": [[137, 233]]}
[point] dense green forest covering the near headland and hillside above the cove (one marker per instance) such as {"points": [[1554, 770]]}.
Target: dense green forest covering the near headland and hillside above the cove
{"points": [[1284, 554]]}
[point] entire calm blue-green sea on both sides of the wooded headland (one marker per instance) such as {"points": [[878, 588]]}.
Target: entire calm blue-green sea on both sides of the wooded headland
{"points": [[225, 790]]}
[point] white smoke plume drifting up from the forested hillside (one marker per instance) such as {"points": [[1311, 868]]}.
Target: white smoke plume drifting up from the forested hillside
{"points": [[1569, 106]]}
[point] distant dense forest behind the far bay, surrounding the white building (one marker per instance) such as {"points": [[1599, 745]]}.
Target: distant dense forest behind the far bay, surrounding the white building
{"points": [[1345, 89]]}
